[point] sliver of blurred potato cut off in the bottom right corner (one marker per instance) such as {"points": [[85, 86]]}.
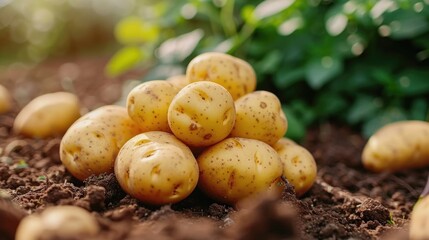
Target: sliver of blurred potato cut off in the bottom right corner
{"points": [[419, 220]]}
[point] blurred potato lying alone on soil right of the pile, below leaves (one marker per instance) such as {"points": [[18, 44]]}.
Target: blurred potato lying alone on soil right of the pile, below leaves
{"points": [[398, 146]]}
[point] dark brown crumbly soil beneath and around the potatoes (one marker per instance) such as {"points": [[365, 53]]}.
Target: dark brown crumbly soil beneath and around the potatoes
{"points": [[346, 201]]}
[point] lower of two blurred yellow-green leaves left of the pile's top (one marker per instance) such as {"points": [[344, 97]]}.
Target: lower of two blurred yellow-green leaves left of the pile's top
{"points": [[124, 60]]}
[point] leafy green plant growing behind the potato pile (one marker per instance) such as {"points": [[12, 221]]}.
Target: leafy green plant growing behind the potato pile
{"points": [[361, 63]]}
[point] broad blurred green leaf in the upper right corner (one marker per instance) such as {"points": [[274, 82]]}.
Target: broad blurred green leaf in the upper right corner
{"points": [[405, 24]]}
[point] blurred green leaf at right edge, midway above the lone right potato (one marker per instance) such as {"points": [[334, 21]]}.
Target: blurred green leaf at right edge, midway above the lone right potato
{"points": [[413, 82]]}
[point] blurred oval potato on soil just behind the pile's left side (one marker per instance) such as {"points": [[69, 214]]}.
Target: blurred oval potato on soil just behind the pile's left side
{"points": [[48, 115]]}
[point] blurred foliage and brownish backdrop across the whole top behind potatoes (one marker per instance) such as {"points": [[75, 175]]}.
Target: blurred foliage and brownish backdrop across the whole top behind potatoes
{"points": [[360, 63]]}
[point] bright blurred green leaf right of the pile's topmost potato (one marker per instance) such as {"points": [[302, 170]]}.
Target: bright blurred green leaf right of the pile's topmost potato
{"points": [[319, 71]]}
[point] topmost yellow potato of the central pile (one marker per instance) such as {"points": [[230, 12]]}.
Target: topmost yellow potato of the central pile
{"points": [[236, 75]]}
